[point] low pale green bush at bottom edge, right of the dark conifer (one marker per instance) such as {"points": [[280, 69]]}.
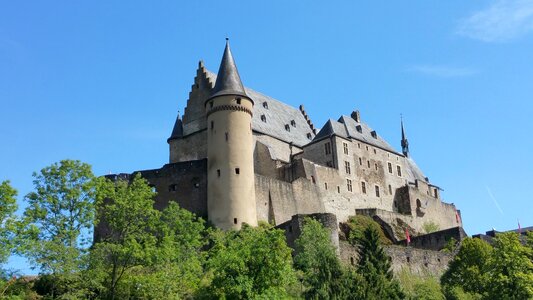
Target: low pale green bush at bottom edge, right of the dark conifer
{"points": [[420, 287]]}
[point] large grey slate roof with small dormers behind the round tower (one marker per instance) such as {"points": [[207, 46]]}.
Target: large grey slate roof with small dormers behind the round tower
{"points": [[277, 115]]}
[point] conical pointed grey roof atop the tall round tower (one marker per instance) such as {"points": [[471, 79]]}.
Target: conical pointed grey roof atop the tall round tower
{"points": [[228, 79]]}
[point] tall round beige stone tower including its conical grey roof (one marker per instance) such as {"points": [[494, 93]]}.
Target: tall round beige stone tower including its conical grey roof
{"points": [[230, 166]]}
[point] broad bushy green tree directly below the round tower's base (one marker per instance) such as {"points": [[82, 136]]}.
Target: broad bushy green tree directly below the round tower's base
{"points": [[250, 263]]}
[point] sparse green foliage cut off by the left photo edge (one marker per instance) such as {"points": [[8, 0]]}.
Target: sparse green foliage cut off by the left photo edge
{"points": [[8, 207]]}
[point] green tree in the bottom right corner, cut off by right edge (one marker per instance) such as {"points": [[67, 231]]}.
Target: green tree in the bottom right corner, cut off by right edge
{"points": [[510, 269]]}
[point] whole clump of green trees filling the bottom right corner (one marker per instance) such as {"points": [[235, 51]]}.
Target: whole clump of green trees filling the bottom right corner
{"points": [[501, 271]]}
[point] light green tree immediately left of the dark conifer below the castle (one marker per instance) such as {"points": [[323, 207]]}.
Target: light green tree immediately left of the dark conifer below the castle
{"points": [[322, 273]]}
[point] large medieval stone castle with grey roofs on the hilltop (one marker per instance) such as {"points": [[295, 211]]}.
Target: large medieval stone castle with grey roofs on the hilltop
{"points": [[238, 156]]}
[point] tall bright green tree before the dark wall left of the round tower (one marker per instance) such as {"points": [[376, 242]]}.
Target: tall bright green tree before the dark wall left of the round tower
{"points": [[130, 238]]}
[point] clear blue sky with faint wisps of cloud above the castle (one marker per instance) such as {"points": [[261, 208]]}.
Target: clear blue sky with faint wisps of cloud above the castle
{"points": [[102, 81]]}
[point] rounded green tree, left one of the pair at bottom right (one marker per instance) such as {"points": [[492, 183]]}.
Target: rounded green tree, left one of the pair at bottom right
{"points": [[468, 268]]}
